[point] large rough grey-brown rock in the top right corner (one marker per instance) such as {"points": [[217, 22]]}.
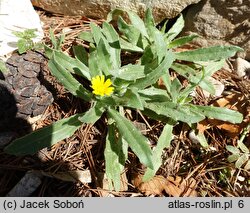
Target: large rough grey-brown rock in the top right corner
{"points": [[220, 22]]}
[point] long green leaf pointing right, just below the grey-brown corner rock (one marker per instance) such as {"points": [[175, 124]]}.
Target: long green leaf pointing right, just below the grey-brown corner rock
{"points": [[206, 54]]}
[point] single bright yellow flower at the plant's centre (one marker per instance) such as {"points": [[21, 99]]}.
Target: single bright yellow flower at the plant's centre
{"points": [[100, 86]]}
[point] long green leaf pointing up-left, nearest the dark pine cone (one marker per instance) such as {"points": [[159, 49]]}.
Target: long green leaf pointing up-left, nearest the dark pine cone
{"points": [[68, 81]]}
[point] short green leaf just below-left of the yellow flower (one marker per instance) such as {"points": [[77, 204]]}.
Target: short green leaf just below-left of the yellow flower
{"points": [[93, 114]]}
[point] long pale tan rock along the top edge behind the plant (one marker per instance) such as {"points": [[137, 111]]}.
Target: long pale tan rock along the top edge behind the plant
{"points": [[99, 9]]}
